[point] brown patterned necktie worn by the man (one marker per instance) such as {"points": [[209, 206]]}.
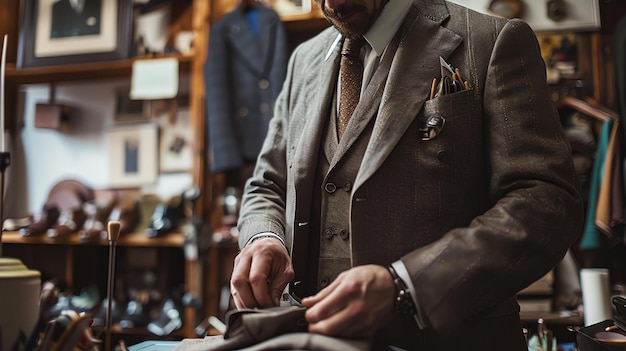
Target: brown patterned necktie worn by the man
{"points": [[351, 77]]}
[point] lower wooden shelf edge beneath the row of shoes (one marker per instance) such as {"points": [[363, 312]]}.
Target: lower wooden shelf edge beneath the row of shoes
{"points": [[131, 240]]}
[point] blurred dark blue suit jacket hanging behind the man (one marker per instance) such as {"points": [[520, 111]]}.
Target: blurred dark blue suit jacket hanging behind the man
{"points": [[244, 73]]}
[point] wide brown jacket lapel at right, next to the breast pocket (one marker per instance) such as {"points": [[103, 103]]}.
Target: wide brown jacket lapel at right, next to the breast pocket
{"points": [[414, 66]]}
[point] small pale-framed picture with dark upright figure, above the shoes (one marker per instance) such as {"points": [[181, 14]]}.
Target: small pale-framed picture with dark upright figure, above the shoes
{"points": [[133, 155]]}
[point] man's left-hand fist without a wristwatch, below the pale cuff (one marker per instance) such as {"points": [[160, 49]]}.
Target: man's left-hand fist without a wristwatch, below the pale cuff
{"points": [[261, 272]]}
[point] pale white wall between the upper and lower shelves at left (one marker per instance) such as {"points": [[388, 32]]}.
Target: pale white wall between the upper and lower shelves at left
{"points": [[42, 157]]}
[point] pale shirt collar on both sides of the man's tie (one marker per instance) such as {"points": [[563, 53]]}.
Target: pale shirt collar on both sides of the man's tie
{"points": [[383, 30]]}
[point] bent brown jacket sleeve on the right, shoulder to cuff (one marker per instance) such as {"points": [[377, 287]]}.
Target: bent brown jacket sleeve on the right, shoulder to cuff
{"points": [[537, 211]]}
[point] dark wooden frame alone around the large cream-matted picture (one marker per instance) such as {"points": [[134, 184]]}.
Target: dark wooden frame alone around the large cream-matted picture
{"points": [[29, 15]]}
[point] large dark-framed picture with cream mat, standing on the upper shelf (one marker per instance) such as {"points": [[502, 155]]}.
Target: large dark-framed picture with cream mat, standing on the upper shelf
{"points": [[57, 32]]}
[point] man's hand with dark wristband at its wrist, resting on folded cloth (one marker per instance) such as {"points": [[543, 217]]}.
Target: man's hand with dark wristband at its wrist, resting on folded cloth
{"points": [[357, 304]]}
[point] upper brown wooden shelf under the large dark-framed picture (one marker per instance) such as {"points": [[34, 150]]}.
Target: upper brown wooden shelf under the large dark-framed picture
{"points": [[87, 71]]}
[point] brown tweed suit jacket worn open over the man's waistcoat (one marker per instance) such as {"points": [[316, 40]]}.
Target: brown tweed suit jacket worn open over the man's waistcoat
{"points": [[477, 213]]}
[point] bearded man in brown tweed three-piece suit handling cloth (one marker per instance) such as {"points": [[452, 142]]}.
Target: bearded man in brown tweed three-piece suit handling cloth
{"points": [[466, 216]]}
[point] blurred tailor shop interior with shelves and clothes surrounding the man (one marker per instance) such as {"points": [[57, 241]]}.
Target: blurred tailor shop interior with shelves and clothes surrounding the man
{"points": [[93, 138]]}
